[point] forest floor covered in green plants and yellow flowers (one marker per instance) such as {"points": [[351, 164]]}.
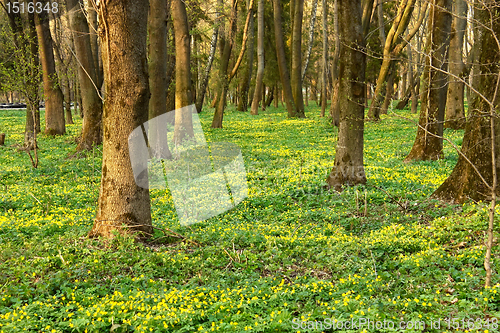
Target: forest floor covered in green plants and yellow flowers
{"points": [[292, 257]]}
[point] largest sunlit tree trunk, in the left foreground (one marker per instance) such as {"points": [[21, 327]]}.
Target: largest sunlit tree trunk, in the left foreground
{"points": [[123, 206]]}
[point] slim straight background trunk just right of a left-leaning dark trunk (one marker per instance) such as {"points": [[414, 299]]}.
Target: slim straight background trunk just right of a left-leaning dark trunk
{"points": [[296, 74]]}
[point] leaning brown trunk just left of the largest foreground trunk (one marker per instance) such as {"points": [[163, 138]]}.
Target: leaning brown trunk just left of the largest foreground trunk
{"points": [[91, 101]]}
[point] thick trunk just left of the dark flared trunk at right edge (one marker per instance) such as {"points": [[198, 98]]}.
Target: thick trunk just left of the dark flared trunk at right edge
{"points": [[428, 144]]}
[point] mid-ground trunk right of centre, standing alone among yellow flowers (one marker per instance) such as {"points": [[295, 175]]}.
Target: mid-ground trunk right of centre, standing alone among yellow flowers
{"points": [[348, 166]]}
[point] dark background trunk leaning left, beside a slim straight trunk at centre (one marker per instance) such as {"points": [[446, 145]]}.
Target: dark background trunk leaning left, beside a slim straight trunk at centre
{"points": [[282, 62]]}
